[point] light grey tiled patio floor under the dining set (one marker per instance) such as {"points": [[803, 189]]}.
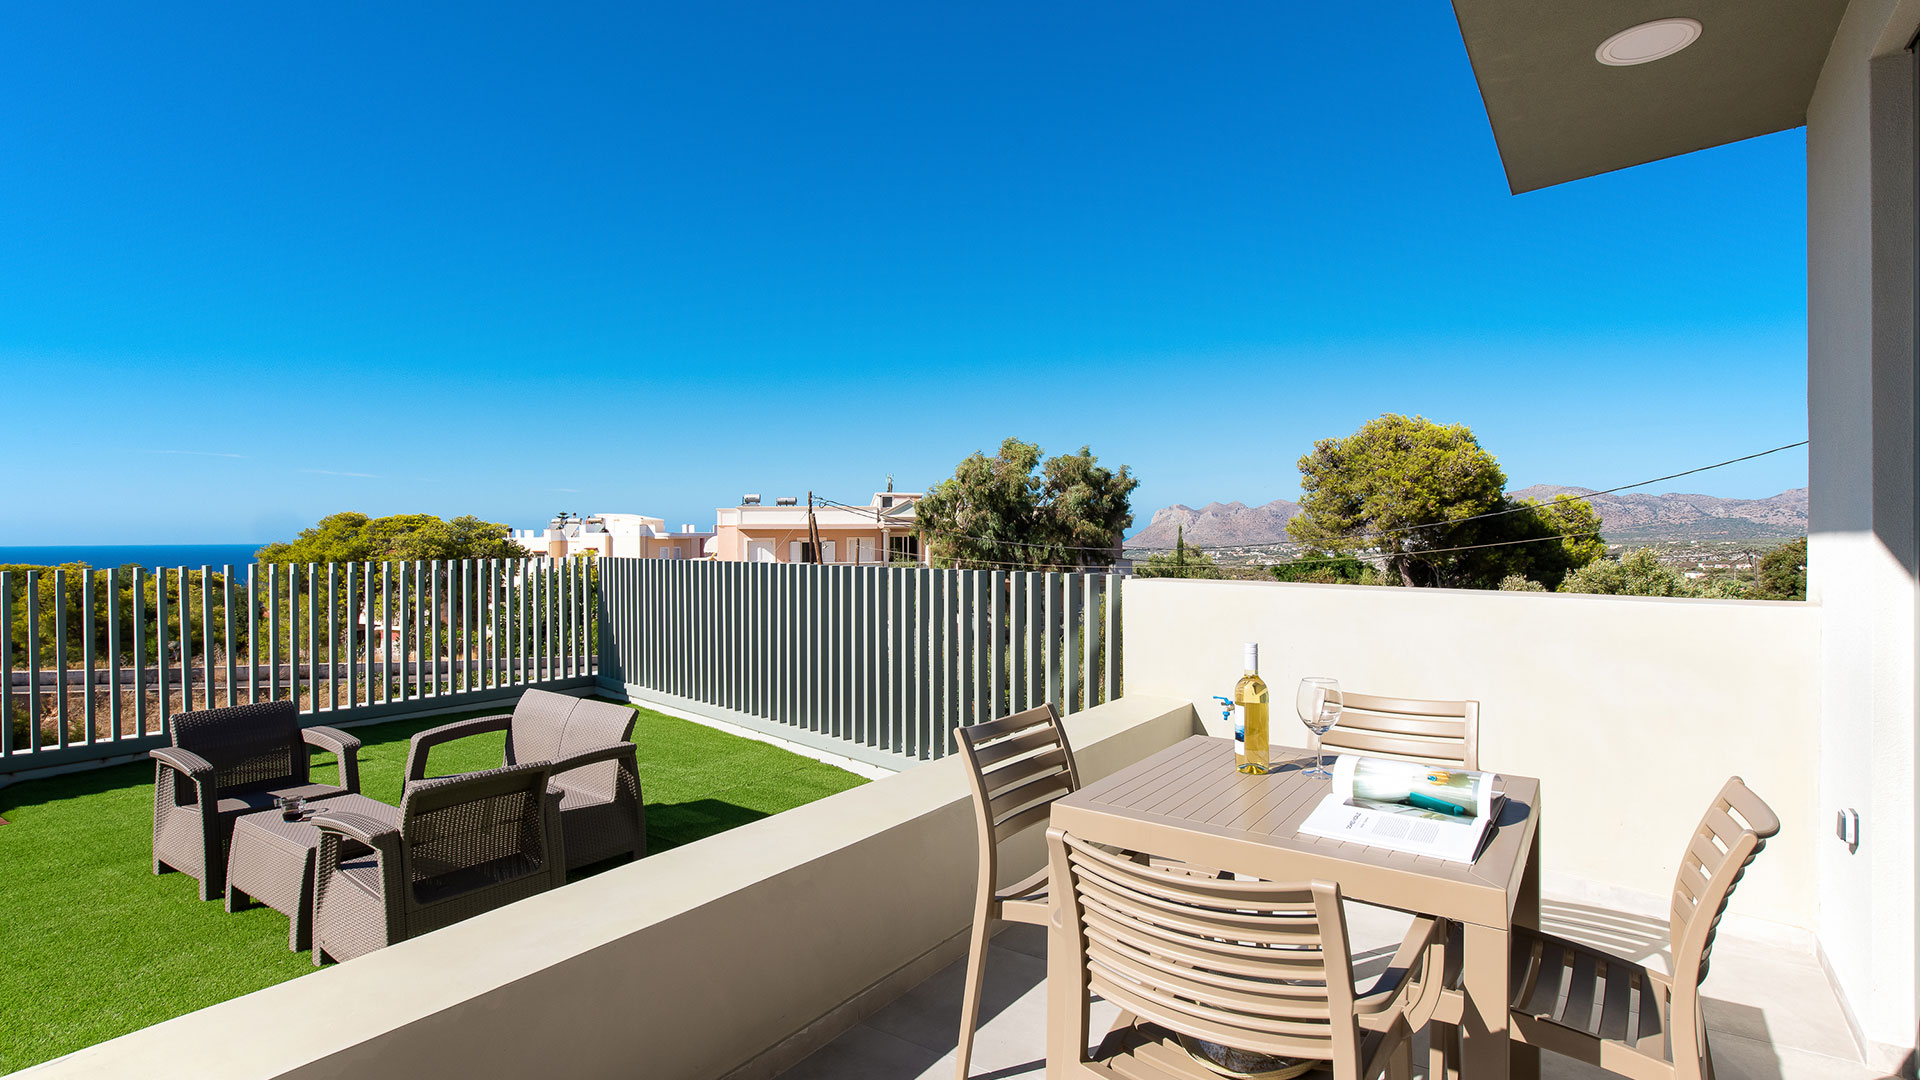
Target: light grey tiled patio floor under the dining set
{"points": [[1771, 1014]]}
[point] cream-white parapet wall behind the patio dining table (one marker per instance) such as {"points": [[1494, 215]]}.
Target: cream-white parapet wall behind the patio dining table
{"points": [[1631, 712]]}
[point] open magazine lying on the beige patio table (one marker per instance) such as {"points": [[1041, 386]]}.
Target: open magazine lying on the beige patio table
{"points": [[1406, 806]]}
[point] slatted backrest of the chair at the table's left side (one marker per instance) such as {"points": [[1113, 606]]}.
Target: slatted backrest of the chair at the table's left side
{"points": [[1017, 768]]}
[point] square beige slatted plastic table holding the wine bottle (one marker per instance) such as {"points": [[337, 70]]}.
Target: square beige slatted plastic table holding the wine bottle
{"points": [[1188, 802]]}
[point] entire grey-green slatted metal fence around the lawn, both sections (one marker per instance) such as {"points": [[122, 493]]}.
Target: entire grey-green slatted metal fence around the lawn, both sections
{"points": [[871, 662]]}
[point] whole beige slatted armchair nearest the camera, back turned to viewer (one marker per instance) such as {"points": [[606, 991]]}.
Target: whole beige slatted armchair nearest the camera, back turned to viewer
{"points": [[1243, 964]]}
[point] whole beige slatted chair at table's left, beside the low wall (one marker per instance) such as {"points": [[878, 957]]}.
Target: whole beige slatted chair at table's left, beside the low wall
{"points": [[1017, 766]]}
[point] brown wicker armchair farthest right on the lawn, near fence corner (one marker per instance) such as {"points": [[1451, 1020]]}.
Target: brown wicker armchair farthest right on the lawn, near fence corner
{"points": [[594, 768]]}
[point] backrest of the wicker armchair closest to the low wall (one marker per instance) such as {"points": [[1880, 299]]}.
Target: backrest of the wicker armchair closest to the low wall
{"points": [[475, 831]]}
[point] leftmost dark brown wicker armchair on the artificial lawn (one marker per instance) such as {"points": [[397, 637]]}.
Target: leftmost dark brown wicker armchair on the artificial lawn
{"points": [[226, 764]]}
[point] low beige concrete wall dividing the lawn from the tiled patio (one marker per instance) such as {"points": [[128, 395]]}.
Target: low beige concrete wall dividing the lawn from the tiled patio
{"points": [[731, 956]]}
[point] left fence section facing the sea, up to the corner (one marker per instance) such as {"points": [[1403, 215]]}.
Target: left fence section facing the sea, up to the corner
{"points": [[93, 664]]}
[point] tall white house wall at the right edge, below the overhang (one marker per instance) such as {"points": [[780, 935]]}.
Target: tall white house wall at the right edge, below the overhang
{"points": [[1863, 531]]}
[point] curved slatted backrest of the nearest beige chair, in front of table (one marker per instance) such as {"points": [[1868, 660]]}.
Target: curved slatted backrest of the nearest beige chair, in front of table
{"points": [[1245, 964]]}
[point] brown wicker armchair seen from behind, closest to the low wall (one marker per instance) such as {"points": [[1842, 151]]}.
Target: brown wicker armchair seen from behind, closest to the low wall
{"points": [[464, 847]]}
